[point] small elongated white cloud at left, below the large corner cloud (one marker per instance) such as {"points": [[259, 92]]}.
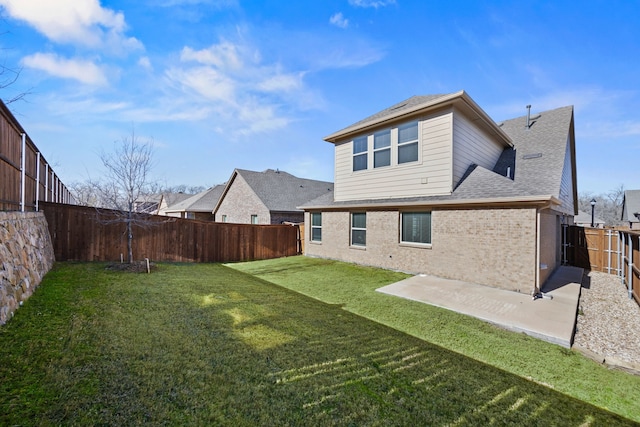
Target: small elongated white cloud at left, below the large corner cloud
{"points": [[83, 71]]}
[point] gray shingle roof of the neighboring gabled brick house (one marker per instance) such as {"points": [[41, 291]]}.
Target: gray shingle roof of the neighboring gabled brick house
{"points": [[283, 192]]}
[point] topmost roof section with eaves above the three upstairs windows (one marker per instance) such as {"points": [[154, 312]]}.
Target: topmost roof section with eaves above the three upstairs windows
{"points": [[419, 105]]}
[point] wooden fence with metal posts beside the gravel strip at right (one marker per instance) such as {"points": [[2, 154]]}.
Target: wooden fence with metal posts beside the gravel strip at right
{"points": [[607, 250]]}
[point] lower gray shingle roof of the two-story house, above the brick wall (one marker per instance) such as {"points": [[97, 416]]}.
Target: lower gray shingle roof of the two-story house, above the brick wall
{"points": [[535, 162]]}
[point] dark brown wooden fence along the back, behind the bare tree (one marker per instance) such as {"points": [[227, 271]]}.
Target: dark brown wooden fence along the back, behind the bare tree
{"points": [[89, 234]]}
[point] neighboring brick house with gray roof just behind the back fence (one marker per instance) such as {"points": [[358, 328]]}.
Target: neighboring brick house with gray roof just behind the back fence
{"points": [[268, 197]]}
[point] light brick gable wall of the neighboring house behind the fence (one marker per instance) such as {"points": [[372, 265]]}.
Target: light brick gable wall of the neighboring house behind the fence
{"points": [[240, 203]]}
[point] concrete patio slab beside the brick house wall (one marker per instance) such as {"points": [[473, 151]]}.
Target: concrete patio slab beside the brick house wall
{"points": [[552, 320]]}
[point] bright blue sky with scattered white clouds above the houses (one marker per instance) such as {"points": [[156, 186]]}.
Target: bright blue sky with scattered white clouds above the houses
{"points": [[224, 84]]}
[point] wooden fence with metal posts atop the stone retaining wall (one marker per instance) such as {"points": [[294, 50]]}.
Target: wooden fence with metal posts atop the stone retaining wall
{"points": [[26, 178]]}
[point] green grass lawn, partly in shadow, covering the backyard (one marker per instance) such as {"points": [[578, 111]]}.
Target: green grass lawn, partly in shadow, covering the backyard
{"points": [[210, 345]]}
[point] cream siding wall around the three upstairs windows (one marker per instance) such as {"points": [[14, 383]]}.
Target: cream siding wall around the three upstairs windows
{"points": [[404, 180]]}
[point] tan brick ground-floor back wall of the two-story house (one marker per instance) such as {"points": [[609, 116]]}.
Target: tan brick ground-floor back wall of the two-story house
{"points": [[494, 247]]}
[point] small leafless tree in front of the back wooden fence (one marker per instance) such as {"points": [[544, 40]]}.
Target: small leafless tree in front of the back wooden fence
{"points": [[127, 180]]}
